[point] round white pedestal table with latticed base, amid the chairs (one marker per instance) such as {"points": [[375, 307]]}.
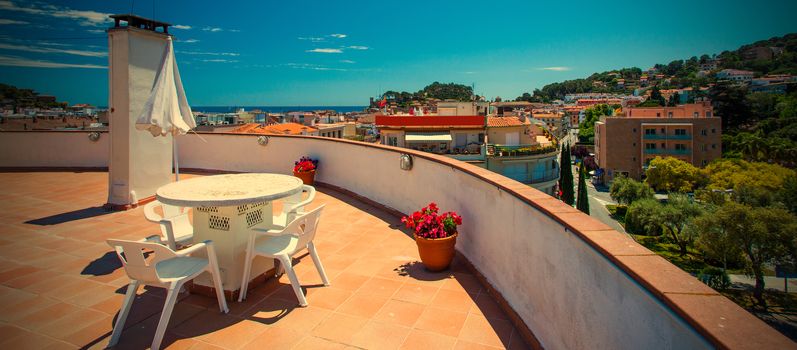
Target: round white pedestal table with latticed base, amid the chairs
{"points": [[226, 207]]}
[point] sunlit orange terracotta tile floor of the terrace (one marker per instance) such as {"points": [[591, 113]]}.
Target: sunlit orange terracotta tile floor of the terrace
{"points": [[61, 285]]}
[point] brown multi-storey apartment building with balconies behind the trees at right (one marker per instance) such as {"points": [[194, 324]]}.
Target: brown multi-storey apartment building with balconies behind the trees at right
{"points": [[625, 144]]}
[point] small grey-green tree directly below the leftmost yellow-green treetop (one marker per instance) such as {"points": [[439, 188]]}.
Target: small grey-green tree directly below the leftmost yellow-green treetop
{"points": [[675, 216]]}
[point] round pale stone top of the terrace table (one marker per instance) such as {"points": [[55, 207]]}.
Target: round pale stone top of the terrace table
{"points": [[228, 190]]}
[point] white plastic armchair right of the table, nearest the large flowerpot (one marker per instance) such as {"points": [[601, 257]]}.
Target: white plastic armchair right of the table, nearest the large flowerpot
{"points": [[282, 244]]}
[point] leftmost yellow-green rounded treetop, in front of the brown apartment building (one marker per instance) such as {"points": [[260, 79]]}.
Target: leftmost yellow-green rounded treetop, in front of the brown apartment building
{"points": [[672, 175]]}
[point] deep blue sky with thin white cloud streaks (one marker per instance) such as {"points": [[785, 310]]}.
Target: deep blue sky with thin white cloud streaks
{"points": [[342, 52]]}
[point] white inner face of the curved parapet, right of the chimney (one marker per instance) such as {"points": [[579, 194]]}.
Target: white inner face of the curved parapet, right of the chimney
{"points": [[569, 295]]}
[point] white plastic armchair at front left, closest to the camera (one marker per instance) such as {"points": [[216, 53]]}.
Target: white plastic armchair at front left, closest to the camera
{"points": [[166, 268]]}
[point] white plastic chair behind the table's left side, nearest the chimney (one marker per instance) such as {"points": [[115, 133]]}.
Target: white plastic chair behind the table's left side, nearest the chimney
{"points": [[180, 231]]}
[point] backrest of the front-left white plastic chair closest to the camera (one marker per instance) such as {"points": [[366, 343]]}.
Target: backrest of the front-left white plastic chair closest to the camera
{"points": [[131, 254]]}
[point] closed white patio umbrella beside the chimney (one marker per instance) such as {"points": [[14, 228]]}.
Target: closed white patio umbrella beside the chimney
{"points": [[167, 111]]}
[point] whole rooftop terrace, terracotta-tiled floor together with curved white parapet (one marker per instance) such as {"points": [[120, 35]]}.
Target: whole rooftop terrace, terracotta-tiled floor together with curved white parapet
{"points": [[529, 267]]}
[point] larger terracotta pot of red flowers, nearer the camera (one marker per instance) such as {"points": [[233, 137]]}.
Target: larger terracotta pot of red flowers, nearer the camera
{"points": [[435, 234]]}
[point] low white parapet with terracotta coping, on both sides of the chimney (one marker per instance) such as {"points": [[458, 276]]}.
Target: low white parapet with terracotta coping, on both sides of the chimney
{"points": [[573, 281]]}
